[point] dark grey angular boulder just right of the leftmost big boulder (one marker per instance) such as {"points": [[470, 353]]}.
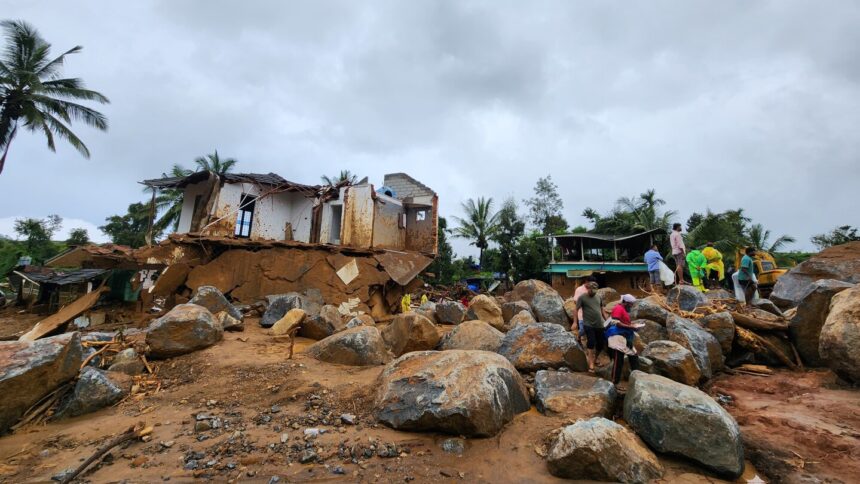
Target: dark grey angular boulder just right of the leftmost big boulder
{"points": [[95, 390]]}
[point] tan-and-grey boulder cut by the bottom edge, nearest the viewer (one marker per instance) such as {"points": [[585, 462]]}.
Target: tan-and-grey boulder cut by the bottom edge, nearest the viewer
{"points": [[601, 450]]}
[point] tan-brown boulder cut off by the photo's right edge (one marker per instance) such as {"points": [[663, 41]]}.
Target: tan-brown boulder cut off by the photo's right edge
{"points": [[839, 344]]}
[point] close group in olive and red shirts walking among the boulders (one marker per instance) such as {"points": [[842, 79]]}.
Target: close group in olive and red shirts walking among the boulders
{"points": [[612, 333]]}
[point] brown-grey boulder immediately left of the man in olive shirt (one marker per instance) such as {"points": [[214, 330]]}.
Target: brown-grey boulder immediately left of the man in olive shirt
{"points": [[540, 346]]}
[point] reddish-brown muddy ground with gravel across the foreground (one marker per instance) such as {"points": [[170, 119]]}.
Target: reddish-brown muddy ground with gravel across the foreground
{"points": [[263, 403]]}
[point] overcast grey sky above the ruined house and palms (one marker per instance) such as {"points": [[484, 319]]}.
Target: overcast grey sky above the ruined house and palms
{"points": [[714, 104]]}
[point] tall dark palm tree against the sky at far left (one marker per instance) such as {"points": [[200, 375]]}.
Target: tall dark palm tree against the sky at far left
{"points": [[33, 93]]}
